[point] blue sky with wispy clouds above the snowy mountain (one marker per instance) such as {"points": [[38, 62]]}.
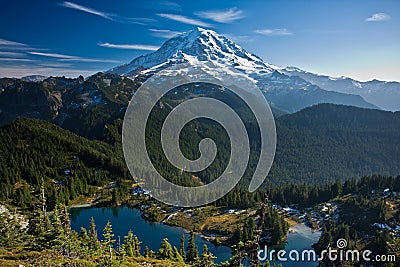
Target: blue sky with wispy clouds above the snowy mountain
{"points": [[358, 39]]}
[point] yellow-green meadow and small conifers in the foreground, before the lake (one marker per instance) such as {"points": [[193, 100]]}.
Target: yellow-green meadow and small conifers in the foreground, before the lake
{"points": [[46, 239]]}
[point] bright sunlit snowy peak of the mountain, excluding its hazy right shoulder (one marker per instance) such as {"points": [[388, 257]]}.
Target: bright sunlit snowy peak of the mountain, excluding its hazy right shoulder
{"points": [[198, 45]]}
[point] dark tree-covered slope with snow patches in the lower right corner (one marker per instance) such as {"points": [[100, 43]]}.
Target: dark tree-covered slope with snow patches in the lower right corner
{"points": [[364, 207]]}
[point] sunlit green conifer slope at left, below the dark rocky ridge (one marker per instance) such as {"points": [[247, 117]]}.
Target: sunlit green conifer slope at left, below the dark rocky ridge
{"points": [[37, 154]]}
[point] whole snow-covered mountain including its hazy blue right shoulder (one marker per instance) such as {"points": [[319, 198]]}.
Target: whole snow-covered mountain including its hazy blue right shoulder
{"points": [[285, 92]]}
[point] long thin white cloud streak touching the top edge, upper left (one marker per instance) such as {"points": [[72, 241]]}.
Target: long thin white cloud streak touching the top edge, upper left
{"points": [[106, 15]]}
